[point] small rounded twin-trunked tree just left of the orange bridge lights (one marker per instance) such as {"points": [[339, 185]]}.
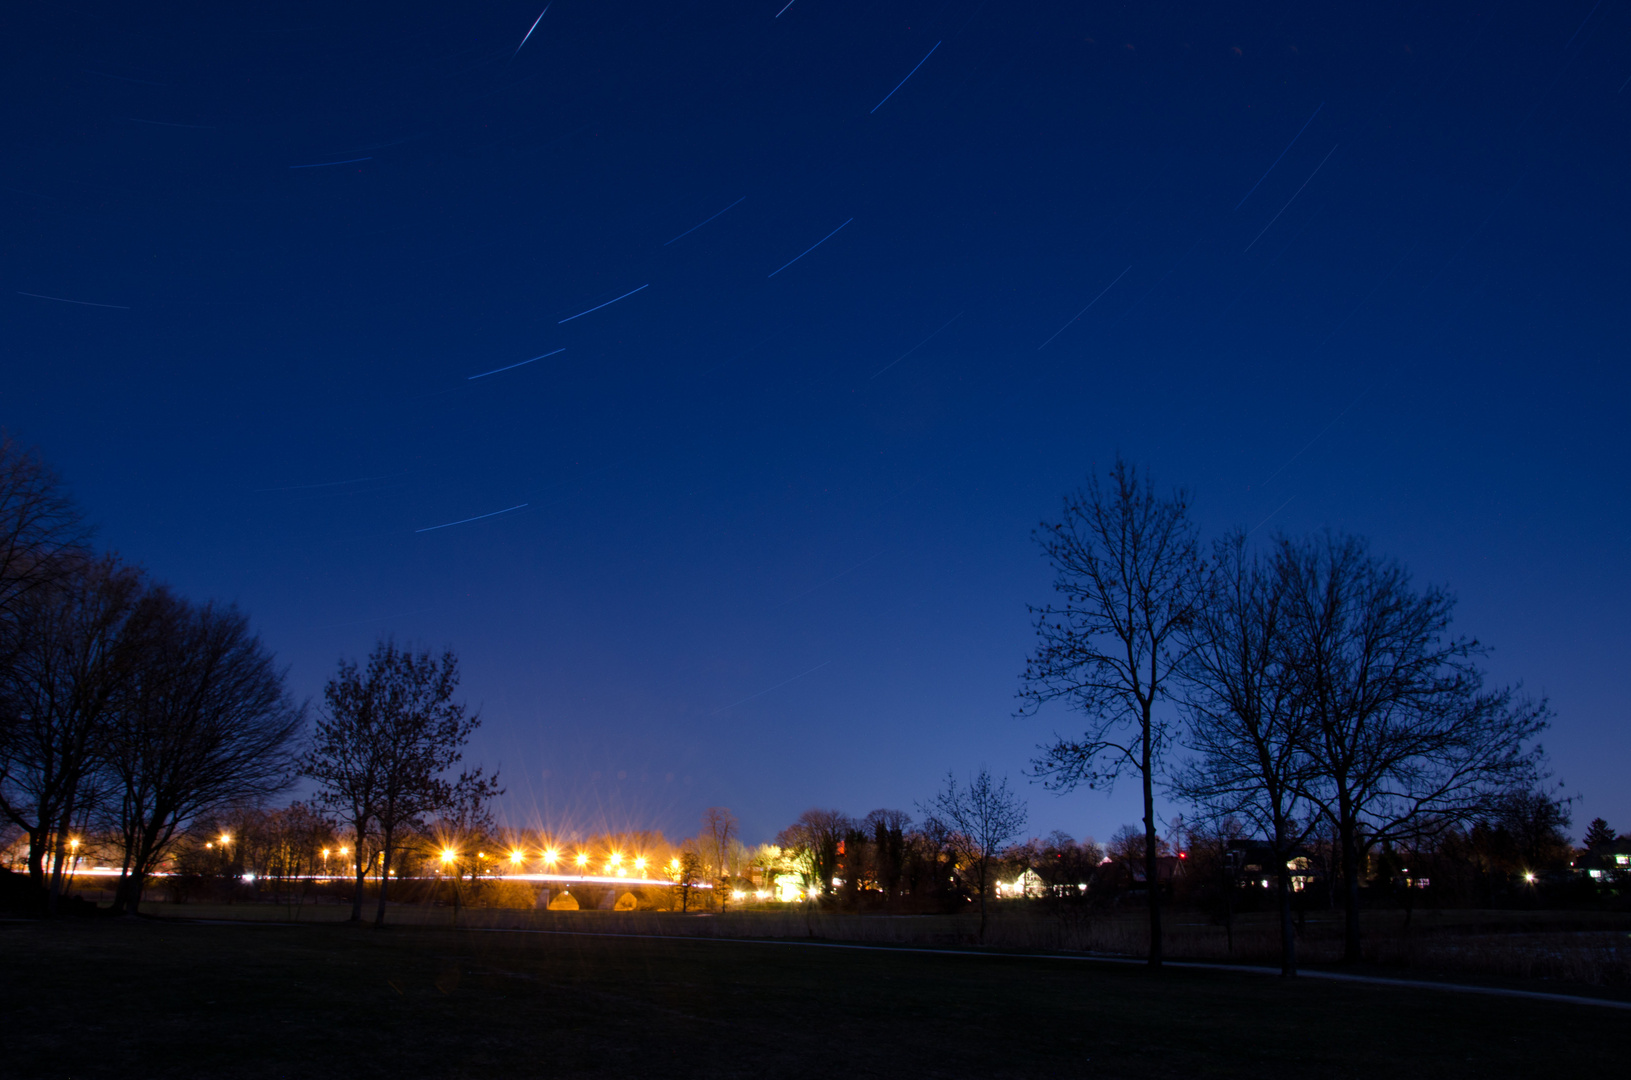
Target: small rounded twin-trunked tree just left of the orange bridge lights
{"points": [[382, 751]]}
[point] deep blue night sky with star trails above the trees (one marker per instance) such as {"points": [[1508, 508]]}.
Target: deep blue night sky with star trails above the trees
{"points": [[776, 549]]}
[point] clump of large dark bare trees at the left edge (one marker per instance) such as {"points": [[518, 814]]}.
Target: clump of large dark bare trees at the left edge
{"points": [[123, 706]]}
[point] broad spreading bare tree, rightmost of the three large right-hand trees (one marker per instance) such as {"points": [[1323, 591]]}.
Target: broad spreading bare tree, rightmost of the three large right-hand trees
{"points": [[1405, 738]]}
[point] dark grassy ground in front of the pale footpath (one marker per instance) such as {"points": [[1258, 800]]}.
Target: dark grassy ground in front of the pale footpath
{"points": [[177, 999]]}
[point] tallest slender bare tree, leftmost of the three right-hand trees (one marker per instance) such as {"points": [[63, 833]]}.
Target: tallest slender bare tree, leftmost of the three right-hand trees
{"points": [[1128, 573]]}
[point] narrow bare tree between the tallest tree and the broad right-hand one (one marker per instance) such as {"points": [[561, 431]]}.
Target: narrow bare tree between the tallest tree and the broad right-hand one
{"points": [[1249, 724]]}
